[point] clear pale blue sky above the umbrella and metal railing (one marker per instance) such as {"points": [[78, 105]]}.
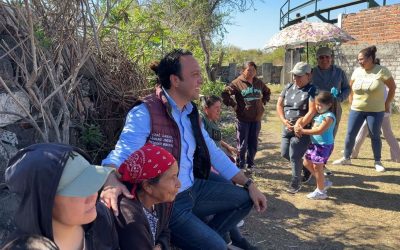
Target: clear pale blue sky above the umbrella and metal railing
{"points": [[252, 29]]}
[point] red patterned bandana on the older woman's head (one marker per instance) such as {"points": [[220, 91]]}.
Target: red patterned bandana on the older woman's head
{"points": [[146, 163]]}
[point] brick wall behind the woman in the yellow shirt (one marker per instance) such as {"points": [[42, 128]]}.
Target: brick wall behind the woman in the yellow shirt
{"points": [[378, 26]]}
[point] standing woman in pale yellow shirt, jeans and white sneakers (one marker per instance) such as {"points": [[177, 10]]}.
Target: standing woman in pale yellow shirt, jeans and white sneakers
{"points": [[368, 104]]}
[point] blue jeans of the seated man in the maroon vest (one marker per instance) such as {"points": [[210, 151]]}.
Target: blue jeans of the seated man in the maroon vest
{"points": [[229, 203]]}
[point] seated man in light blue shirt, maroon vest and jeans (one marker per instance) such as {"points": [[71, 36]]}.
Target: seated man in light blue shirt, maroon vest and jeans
{"points": [[168, 118]]}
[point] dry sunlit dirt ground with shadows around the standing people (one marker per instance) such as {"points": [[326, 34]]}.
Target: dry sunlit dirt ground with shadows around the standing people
{"points": [[362, 211]]}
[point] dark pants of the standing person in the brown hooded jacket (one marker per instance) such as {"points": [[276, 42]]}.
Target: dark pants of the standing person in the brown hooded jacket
{"points": [[247, 141]]}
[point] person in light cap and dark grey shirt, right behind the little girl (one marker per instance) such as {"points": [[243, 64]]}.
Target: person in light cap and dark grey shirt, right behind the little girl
{"points": [[295, 107]]}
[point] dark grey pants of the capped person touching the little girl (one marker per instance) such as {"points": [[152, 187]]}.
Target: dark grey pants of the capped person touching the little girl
{"points": [[293, 149]]}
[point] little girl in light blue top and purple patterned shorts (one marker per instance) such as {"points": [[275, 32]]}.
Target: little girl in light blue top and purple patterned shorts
{"points": [[322, 141]]}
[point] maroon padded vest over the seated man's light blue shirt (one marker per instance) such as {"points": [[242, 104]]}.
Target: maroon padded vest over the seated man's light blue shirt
{"points": [[164, 132]]}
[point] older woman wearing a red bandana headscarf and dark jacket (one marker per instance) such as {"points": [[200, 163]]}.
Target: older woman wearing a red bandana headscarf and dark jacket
{"points": [[152, 174]]}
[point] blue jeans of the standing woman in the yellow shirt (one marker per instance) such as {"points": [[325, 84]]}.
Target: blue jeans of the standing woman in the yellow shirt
{"points": [[354, 123]]}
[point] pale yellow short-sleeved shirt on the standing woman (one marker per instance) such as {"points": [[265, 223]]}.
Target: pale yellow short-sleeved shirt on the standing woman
{"points": [[369, 89]]}
